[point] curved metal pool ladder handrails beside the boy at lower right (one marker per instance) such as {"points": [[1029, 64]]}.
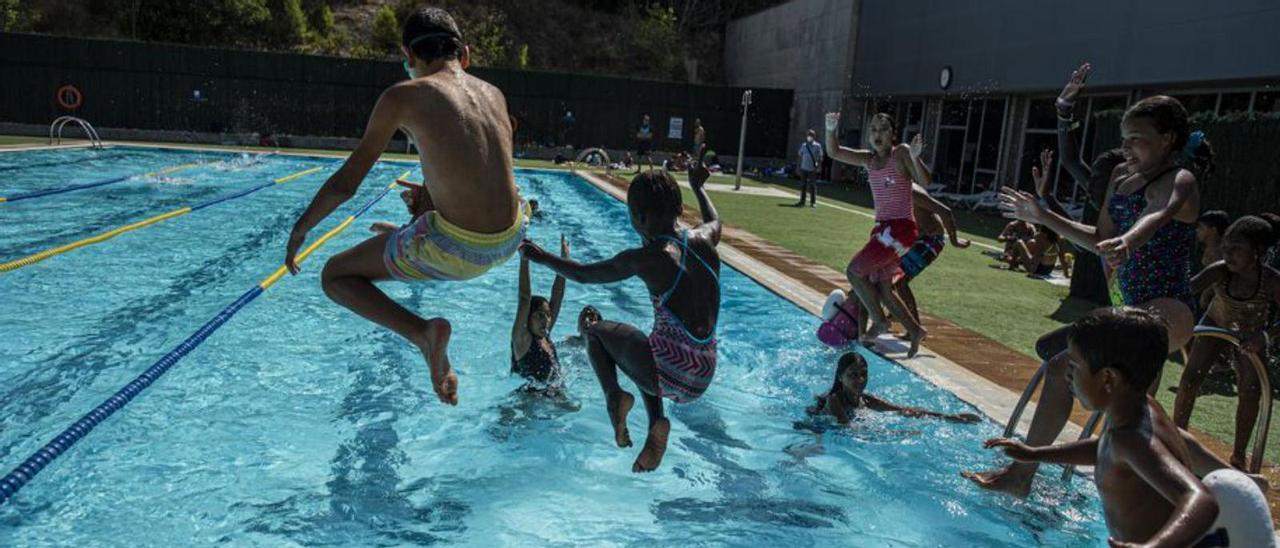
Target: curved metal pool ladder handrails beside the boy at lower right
{"points": [[1260, 444]]}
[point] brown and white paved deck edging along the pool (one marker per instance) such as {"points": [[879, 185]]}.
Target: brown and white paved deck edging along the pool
{"points": [[979, 371]]}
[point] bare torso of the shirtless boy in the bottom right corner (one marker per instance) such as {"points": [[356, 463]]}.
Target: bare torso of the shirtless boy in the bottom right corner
{"points": [[1136, 510]]}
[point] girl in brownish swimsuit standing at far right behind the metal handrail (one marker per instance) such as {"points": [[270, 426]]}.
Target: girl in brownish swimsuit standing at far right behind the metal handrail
{"points": [[1246, 293]]}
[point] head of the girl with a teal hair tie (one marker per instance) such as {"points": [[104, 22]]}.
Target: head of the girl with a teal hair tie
{"points": [[1156, 130]]}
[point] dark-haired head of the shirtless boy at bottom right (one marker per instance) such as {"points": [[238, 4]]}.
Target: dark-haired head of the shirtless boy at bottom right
{"points": [[1116, 351]]}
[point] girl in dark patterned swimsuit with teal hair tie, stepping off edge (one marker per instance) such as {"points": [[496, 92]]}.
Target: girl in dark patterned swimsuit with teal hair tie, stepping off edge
{"points": [[1145, 234]]}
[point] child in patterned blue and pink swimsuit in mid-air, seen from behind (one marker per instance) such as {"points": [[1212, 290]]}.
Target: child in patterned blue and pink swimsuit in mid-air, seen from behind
{"points": [[682, 270]]}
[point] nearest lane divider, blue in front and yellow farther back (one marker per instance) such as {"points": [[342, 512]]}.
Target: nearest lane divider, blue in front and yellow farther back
{"points": [[25, 473]]}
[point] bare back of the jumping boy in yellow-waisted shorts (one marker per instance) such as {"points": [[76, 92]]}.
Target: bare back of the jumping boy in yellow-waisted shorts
{"points": [[463, 133]]}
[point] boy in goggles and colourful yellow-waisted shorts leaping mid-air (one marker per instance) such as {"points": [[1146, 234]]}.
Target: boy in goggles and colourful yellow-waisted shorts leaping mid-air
{"points": [[461, 127]]}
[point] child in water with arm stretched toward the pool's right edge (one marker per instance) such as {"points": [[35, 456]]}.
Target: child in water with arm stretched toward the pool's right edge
{"points": [[848, 395]]}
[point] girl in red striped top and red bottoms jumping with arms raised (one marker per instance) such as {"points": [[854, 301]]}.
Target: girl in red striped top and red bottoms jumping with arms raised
{"points": [[892, 170]]}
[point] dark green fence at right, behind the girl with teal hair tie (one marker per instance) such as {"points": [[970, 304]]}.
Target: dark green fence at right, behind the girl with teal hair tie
{"points": [[1247, 176]]}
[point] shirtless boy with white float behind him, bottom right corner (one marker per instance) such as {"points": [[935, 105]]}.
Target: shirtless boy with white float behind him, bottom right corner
{"points": [[1142, 465]]}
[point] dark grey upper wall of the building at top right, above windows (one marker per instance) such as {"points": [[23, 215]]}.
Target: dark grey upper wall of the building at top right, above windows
{"points": [[1028, 47]]}
